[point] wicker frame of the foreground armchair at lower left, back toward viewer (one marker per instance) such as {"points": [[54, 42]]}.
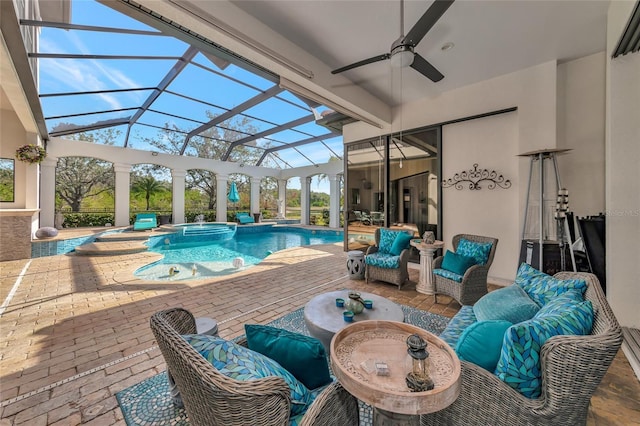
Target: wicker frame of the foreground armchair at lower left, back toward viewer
{"points": [[211, 398]]}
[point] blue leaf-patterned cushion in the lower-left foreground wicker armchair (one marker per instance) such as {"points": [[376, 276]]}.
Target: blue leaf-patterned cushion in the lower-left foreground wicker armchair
{"points": [[241, 363]]}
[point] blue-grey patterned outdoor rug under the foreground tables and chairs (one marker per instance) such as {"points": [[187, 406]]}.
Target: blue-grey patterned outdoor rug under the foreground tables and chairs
{"points": [[149, 402]]}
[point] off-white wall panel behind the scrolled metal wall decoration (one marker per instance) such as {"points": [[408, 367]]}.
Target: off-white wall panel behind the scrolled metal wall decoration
{"points": [[489, 143]]}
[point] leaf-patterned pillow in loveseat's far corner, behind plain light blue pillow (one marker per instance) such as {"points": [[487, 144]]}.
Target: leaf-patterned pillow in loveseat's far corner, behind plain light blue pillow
{"points": [[543, 288]]}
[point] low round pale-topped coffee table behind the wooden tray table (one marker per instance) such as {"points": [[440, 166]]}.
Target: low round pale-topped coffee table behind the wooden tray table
{"points": [[323, 318]]}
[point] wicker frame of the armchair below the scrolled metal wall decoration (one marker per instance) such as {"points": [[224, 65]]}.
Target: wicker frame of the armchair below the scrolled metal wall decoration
{"points": [[474, 281]]}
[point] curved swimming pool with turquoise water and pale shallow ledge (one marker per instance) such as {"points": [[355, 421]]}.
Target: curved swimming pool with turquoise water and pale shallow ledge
{"points": [[200, 256]]}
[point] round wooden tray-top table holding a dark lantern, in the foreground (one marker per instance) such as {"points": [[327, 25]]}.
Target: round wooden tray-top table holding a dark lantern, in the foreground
{"points": [[354, 352]]}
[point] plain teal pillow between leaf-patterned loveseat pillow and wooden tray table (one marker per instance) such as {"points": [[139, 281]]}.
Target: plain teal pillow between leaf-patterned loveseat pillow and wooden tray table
{"points": [[481, 343]]}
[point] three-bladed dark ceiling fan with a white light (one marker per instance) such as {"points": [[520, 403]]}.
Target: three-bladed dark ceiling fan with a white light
{"points": [[402, 54]]}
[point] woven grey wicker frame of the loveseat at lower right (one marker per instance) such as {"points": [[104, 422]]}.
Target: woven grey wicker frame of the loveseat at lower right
{"points": [[572, 368]]}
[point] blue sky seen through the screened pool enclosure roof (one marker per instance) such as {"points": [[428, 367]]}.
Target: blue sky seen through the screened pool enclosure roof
{"points": [[60, 75]]}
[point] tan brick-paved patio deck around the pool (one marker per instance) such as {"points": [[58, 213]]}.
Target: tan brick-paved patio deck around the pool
{"points": [[75, 329]]}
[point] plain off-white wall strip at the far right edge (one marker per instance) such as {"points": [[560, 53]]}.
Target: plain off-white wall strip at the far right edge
{"points": [[623, 173]]}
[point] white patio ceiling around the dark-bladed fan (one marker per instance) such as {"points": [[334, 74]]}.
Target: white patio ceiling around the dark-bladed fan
{"points": [[491, 38]]}
